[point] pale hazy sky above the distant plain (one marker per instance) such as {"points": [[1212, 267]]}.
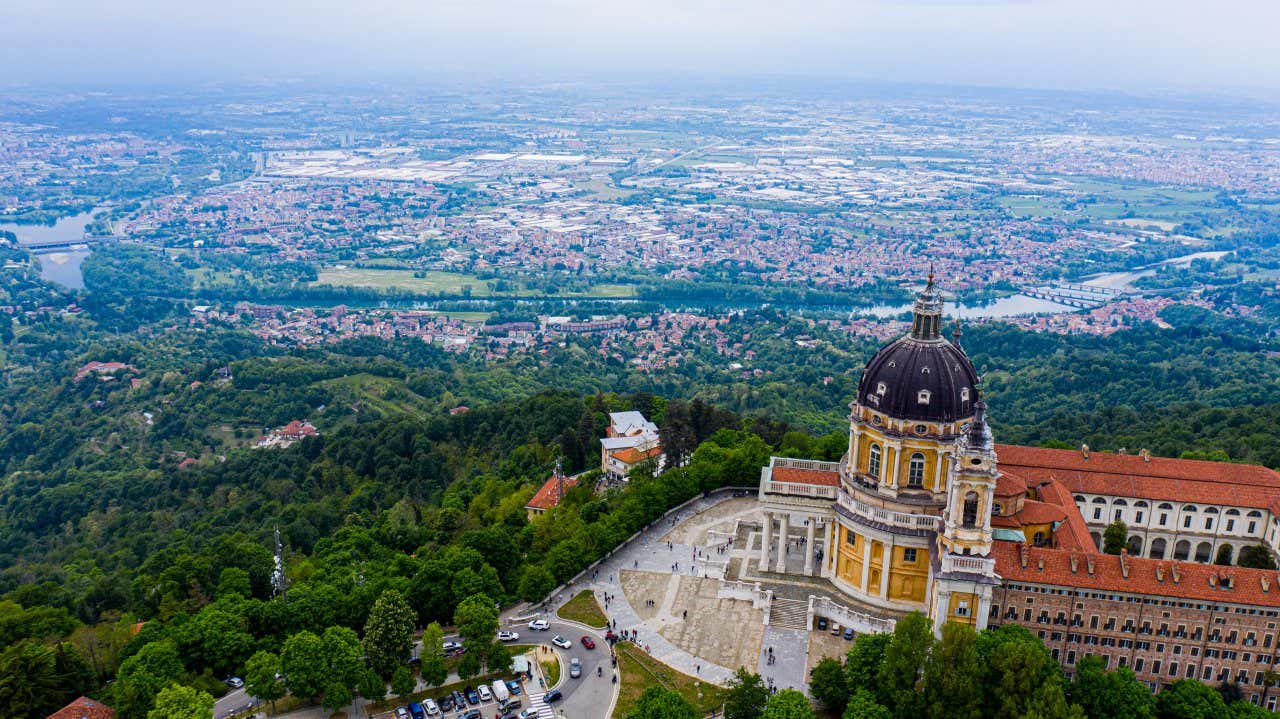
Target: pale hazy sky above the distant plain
{"points": [[1081, 44]]}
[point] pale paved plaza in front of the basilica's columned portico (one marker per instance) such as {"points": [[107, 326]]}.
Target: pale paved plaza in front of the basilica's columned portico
{"points": [[666, 583]]}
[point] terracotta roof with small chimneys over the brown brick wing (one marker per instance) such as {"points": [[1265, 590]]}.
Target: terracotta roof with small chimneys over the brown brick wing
{"points": [[1155, 578]]}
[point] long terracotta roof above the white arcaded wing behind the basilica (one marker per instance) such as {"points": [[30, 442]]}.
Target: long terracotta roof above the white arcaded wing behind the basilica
{"points": [[1133, 477]]}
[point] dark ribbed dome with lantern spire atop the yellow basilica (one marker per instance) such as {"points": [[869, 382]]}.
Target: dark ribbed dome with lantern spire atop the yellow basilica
{"points": [[922, 361]]}
